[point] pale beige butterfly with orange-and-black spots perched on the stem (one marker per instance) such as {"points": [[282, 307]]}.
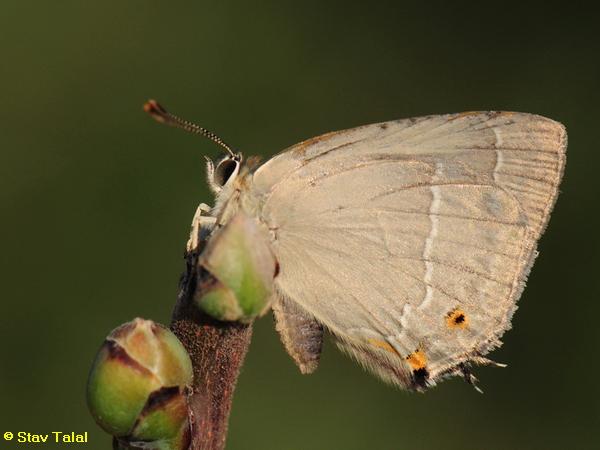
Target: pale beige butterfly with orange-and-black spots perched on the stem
{"points": [[408, 241]]}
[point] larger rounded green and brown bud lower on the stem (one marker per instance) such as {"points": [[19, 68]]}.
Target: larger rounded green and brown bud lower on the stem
{"points": [[137, 386]]}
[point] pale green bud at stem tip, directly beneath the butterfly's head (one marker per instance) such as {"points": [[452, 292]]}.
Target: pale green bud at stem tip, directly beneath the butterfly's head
{"points": [[238, 267]]}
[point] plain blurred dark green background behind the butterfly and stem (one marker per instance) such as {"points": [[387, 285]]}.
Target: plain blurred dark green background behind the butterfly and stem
{"points": [[97, 199]]}
